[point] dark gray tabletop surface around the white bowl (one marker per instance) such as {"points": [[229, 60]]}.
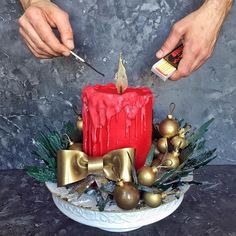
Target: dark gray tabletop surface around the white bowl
{"points": [[26, 208]]}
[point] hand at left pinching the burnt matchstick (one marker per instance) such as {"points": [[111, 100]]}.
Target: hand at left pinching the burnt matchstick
{"points": [[36, 29]]}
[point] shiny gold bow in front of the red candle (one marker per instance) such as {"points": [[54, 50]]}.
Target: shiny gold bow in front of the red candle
{"points": [[75, 165]]}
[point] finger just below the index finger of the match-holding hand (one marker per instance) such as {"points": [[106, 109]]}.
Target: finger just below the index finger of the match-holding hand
{"points": [[32, 34]]}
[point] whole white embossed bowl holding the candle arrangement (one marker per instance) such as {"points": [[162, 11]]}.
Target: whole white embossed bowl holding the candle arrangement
{"points": [[112, 219]]}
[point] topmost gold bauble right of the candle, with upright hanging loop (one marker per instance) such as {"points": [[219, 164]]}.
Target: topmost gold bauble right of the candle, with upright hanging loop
{"points": [[169, 127]]}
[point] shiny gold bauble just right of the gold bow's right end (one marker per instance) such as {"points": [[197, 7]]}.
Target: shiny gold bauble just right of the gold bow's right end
{"points": [[147, 175]]}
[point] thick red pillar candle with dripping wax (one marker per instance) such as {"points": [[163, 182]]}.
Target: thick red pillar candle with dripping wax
{"points": [[112, 121]]}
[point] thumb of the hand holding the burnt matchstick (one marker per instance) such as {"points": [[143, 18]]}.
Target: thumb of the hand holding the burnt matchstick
{"points": [[63, 25]]}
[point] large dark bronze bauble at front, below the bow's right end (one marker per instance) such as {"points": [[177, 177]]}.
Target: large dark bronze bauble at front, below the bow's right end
{"points": [[126, 195]]}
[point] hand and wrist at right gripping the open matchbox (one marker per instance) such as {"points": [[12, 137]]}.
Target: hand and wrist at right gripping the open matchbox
{"points": [[198, 31]]}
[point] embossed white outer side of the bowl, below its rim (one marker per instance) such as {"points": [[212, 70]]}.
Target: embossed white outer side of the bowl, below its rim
{"points": [[116, 222]]}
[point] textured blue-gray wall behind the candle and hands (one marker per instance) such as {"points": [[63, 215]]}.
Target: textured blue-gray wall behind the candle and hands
{"points": [[35, 93]]}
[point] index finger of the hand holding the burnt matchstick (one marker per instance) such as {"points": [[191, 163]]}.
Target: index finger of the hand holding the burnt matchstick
{"points": [[44, 31]]}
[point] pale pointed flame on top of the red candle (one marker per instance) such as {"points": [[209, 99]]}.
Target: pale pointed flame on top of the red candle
{"points": [[121, 77]]}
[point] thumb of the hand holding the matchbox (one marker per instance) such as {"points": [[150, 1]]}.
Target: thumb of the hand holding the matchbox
{"points": [[172, 40]]}
